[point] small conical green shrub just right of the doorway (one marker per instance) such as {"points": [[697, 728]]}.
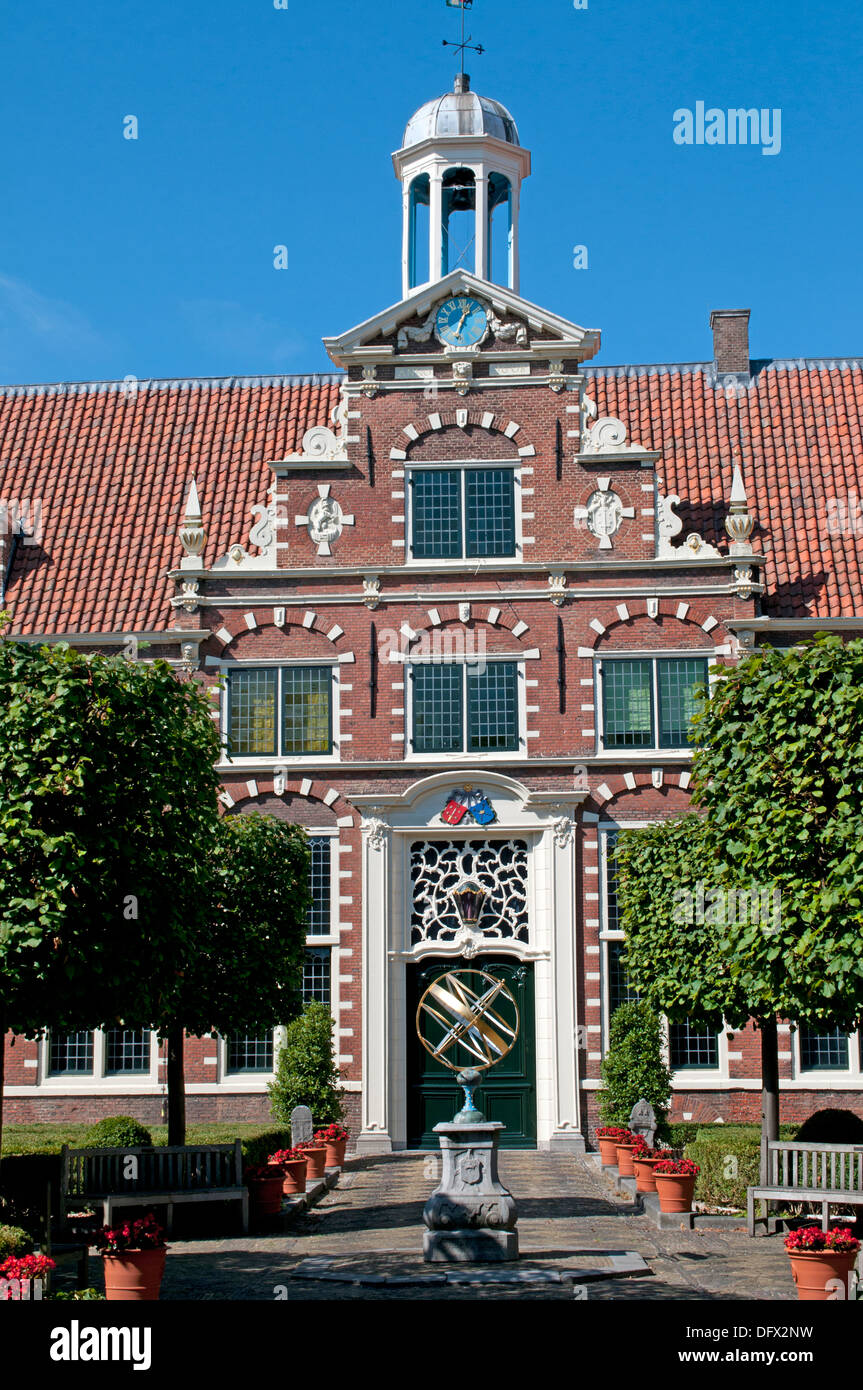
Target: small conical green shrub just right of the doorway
{"points": [[633, 1070]]}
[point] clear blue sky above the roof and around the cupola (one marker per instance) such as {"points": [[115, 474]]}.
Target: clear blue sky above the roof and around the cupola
{"points": [[263, 127]]}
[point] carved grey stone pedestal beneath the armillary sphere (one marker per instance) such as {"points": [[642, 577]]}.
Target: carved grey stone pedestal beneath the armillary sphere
{"points": [[470, 1217]]}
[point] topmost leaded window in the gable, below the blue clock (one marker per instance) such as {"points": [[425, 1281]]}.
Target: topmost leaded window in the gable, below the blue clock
{"points": [[462, 514]]}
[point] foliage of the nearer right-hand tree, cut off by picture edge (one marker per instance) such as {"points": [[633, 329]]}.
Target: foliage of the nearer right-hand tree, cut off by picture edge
{"points": [[779, 774]]}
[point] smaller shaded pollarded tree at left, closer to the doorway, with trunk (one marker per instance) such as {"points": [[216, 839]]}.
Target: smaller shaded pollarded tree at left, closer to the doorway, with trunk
{"points": [[245, 972]]}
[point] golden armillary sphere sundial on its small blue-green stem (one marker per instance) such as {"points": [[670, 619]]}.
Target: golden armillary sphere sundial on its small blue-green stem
{"points": [[469, 1021]]}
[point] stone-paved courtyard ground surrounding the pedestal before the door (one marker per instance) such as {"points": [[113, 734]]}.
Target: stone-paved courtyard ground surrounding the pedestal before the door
{"points": [[370, 1228]]}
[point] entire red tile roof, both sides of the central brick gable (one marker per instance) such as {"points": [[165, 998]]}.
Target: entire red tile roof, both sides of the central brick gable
{"points": [[113, 471]]}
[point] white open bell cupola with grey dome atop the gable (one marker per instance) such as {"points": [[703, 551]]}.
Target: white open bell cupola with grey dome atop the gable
{"points": [[461, 167]]}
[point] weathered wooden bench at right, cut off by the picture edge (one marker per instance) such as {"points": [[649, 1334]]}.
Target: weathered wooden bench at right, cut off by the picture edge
{"points": [[828, 1174]]}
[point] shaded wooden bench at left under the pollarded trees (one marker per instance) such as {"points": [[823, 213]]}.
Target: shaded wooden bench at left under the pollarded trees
{"points": [[120, 1178]]}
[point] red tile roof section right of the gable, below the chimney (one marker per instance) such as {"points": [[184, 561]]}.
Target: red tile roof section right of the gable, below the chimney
{"points": [[797, 433]]}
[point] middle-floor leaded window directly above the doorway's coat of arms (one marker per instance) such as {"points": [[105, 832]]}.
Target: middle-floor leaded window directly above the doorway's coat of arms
{"points": [[450, 719]]}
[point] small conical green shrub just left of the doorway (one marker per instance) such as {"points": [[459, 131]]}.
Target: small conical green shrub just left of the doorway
{"points": [[306, 1071]]}
